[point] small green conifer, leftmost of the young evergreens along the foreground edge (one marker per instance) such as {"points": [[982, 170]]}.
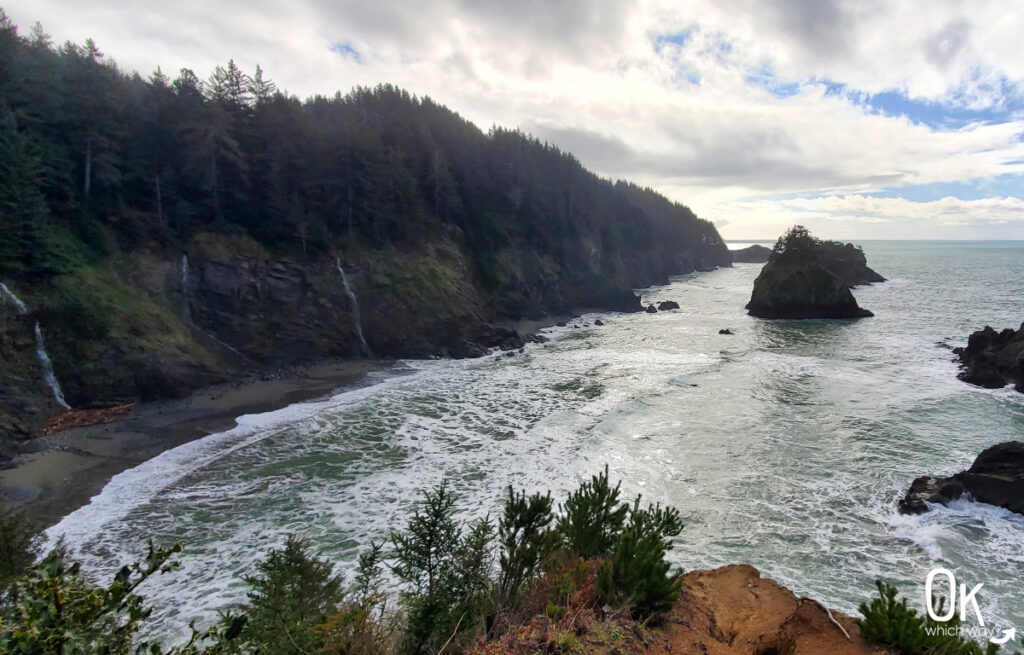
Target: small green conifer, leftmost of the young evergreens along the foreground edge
{"points": [[293, 594]]}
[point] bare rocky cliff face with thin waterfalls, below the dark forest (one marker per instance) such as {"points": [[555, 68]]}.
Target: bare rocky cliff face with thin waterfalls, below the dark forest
{"points": [[154, 325]]}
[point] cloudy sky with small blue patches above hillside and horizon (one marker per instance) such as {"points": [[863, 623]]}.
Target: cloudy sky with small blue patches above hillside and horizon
{"points": [[859, 119]]}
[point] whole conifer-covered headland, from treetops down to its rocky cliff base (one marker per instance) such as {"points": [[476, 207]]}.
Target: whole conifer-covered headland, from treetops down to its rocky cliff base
{"points": [[166, 233]]}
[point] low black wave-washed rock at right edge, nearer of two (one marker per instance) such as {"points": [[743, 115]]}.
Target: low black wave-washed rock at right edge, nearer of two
{"points": [[996, 477]]}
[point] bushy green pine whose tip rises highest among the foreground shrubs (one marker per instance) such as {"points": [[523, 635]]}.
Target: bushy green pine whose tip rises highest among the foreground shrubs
{"points": [[592, 517]]}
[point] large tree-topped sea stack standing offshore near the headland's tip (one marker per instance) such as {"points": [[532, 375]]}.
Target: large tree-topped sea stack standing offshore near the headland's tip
{"points": [[806, 278]]}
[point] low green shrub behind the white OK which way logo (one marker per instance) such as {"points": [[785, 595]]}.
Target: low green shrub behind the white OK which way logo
{"points": [[891, 624]]}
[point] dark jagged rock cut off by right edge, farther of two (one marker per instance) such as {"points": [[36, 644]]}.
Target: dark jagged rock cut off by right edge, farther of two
{"points": [[994, 360]]}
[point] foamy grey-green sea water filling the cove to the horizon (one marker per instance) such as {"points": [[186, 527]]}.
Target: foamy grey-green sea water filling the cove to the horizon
{"points": [[785, 446]]}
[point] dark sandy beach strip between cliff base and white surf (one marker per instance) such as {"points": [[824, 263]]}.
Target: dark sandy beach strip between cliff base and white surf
{"points": [[64, 471]]}
